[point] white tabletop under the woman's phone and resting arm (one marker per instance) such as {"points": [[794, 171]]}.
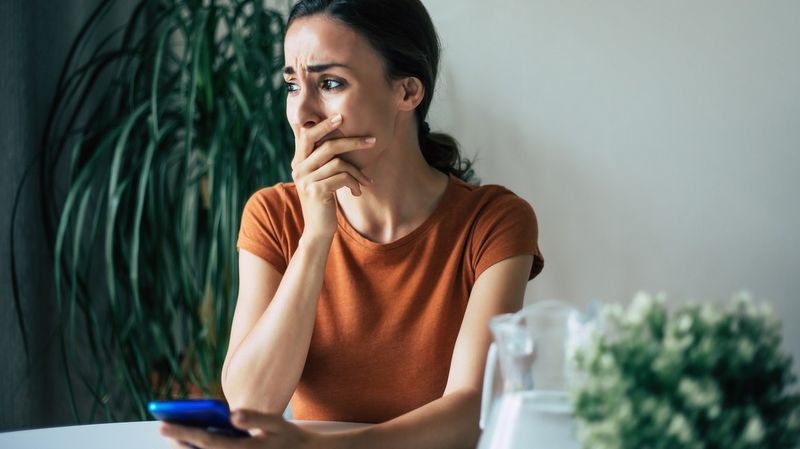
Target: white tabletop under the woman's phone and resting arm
{"points": [[129, 435]]}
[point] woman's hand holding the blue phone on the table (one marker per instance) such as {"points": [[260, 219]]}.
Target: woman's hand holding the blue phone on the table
{"points": [[268, 432]]}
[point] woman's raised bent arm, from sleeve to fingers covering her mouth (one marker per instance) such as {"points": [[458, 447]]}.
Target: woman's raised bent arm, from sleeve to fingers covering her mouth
{"points": [[275, 315]]}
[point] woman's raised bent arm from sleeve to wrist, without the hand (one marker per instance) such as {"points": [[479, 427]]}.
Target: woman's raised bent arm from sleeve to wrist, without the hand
{"points": [[272, 327]]}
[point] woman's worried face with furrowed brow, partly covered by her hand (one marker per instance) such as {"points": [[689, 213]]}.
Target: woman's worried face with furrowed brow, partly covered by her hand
{"points": [[330, 69]]}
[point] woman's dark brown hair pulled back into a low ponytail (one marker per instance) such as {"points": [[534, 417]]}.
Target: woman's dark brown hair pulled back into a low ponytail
{"points": [[402, 32]]}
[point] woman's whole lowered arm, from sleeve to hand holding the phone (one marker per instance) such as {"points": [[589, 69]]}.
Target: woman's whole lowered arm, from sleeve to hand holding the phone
{"points": [[448, 422]]}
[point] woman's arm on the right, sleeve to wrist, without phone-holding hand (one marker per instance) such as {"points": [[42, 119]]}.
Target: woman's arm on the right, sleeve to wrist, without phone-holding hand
{"points": [[452, 421]]}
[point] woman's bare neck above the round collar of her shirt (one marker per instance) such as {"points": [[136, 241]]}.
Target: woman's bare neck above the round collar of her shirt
{"points": [[404, 193]]}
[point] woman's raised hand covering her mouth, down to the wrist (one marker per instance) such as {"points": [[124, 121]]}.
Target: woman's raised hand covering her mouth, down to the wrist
{"points": [[318, 173]]}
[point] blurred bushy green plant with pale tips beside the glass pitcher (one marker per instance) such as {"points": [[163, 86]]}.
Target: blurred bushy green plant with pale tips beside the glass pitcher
{"points": [[698, 376]]}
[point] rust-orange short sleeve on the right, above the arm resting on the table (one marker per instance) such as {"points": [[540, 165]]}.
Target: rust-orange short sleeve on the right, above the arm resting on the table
{"points": [[506, 228]]}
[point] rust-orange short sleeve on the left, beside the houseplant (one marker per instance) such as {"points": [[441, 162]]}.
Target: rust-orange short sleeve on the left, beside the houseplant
{"points": [[258, 233]]}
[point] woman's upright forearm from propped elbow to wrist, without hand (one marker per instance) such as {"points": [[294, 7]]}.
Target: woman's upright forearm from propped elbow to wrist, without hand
{"points": [[264, 370]]}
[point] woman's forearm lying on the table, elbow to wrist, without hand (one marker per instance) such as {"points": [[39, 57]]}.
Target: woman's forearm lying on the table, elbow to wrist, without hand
{"points": [[448, 422]]}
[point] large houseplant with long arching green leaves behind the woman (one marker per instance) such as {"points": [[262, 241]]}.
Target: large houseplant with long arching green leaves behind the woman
{"points": [[156, 137]]}
